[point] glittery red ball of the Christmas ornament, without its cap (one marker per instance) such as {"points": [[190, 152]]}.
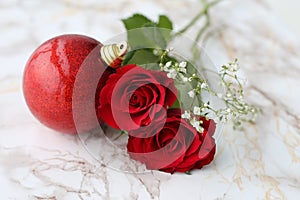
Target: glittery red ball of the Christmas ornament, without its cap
{"points": [[62, 82]]}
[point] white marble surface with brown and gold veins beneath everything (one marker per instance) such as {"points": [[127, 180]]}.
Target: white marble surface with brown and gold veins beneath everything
{"points": [[261, 162]]}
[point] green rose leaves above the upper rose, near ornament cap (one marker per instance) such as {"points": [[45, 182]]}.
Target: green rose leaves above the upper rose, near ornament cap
{"points": [[145, 36]]}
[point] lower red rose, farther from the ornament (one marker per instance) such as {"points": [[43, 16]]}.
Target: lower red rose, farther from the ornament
{"points": [[175, 147]]}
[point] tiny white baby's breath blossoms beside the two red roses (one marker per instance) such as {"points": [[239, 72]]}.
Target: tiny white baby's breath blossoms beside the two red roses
{"points": [[236, 108]]}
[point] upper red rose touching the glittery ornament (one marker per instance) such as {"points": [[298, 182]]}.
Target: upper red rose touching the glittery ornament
{"points": [[133, 96]]}
